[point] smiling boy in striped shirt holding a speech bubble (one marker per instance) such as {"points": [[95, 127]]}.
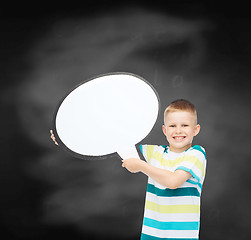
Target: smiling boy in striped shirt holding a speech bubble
{"points": [[175, 177]]}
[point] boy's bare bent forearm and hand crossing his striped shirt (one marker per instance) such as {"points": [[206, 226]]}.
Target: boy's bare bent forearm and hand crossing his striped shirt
{"points": [[166, 178]]}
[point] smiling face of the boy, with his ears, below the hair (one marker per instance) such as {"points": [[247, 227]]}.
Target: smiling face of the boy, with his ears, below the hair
{"points": [[180, 128]]}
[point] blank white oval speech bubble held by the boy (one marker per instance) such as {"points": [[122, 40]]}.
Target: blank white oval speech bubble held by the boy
{"points": [[107, 114]]}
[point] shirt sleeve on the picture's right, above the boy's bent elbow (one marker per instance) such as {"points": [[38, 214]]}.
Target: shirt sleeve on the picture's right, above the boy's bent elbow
{"points": [[194, 162]]}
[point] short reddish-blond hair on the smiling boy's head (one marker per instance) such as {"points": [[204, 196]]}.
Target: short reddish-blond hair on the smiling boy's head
{"points": [[180, 105]]}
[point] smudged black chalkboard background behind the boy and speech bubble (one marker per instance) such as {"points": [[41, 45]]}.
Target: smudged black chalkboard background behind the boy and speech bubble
{"points": [[197, 51]]}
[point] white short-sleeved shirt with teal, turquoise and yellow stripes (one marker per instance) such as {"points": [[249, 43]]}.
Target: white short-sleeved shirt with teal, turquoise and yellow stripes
{"points": [[173, 213]]}
